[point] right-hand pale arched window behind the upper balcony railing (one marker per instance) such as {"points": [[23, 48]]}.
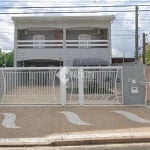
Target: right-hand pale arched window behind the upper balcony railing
{"points": [[84, 40]]}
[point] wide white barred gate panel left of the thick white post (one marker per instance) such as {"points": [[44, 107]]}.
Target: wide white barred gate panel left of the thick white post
{"points": [[31, 86]]}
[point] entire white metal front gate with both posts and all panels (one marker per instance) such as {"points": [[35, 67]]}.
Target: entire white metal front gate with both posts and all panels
{"points": [[54, 85]]}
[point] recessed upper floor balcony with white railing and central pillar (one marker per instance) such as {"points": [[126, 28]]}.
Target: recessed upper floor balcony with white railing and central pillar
{"points": [[62, 38]]}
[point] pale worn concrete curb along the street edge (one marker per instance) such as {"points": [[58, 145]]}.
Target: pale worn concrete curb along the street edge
{"points": [[79, 139]]}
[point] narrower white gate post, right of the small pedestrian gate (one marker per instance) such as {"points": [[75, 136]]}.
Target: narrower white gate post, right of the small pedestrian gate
{"points": [[81, 86]]}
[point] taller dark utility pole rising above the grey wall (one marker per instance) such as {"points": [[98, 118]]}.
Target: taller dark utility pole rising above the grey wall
{"points": [[136, 33]]}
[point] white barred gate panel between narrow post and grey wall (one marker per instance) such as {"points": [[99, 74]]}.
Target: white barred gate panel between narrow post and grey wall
{"points": [[103, 85]]}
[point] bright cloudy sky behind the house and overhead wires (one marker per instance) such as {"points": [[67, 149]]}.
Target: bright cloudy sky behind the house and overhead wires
{"points": [[123, 25]]}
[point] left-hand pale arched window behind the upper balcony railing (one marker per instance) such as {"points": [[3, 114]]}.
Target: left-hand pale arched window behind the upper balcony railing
{"points": [[38, 41]]}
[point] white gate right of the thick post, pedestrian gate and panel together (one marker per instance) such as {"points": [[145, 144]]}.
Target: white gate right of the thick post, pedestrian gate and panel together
{"points": [[95, 85]]}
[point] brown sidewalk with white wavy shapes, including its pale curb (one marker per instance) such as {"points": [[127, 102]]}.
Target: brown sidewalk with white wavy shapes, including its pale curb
{"points": [[57, 125]]}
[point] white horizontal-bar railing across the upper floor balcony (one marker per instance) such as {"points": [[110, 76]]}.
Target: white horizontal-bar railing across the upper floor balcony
{"points": [[62, 44]]}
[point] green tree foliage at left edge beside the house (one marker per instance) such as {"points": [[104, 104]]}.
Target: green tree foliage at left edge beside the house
{"points": [[6, 59]]}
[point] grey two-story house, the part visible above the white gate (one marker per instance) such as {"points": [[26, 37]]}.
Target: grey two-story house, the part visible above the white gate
{"points": [[62, 41]]}
